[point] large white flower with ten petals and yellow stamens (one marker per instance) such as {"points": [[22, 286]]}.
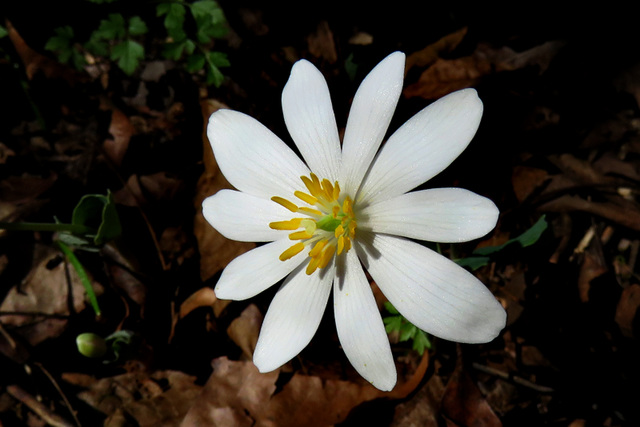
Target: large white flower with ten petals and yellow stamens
{"points": [[346, 207]]}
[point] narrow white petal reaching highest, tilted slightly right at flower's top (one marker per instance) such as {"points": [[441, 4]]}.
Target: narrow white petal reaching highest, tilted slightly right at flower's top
{"points": [[369, 117]]}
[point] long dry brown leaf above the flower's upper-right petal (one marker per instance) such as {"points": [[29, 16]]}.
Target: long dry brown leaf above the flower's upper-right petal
{"points": [[446, 76]]}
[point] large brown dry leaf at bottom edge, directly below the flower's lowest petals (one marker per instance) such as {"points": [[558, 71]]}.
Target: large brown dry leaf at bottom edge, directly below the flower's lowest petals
{"points": [[237, 392]]}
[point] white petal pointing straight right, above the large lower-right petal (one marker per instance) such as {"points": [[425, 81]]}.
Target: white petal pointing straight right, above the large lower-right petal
{"points": [[438, 215]]}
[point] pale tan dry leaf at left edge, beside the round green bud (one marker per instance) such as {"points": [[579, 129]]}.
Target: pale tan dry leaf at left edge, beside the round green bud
{"points": [[45, 291]]}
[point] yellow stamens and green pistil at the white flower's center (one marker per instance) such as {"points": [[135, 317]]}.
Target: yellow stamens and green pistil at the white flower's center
{"points": [[328, 228]]}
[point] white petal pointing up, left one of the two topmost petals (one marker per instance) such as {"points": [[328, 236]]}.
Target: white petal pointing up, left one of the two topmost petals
{"points": [[306, 104]]}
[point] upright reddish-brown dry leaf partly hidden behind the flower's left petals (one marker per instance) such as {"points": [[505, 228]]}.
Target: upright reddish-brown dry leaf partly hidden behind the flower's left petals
{"points": [[216, 251]]}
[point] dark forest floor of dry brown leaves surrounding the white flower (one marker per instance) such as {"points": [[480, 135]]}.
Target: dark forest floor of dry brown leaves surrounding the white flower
{"points": [[559, 140]]}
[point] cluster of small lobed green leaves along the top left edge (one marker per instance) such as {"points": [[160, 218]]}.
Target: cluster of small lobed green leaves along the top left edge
{"points": [[122, 39]]}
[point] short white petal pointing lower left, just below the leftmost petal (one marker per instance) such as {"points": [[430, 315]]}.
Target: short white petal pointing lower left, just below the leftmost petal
{"points": [[256, 270]]}
